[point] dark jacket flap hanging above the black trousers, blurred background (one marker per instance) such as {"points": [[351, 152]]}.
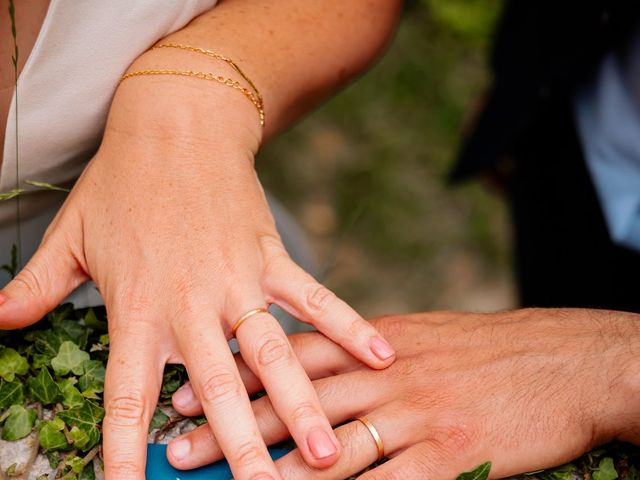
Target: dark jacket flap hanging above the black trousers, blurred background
{"points": [[544, 50]]}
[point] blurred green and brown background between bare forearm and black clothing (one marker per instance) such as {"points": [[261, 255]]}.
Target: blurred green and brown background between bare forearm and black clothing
{"points": [[366, 174]]}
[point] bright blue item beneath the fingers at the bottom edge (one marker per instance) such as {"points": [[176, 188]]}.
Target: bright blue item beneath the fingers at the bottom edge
{"points": [[158, 468]]}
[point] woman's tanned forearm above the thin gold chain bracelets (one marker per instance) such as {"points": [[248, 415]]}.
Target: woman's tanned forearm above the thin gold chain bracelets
{"points": [[296, 52]]}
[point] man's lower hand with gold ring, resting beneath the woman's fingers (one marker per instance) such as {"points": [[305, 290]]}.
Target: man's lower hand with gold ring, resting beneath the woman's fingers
{"points": [[525, 390]]}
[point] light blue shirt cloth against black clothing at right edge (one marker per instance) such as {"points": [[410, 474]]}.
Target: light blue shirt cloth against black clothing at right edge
{"points": [[608, 121]]}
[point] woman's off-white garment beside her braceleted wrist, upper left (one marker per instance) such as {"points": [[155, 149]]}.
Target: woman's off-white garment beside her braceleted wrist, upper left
{"points": [[65, 91]]}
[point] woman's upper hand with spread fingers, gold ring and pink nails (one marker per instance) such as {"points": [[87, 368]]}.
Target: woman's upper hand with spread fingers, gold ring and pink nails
{"points": [[170, 221]]}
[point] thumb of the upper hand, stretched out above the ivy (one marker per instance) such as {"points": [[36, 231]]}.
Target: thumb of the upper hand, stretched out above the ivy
{"points": [[47, 279]]}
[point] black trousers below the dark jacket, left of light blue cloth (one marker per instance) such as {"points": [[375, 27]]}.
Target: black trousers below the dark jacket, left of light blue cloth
{"points": [[564, 255]]}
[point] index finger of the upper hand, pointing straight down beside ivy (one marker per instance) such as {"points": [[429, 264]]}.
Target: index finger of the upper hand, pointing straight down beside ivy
{"points": [[132, 387]]}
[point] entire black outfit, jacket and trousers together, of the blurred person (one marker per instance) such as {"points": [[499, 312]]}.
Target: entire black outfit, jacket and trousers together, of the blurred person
{"points": [[525, 136]]}
